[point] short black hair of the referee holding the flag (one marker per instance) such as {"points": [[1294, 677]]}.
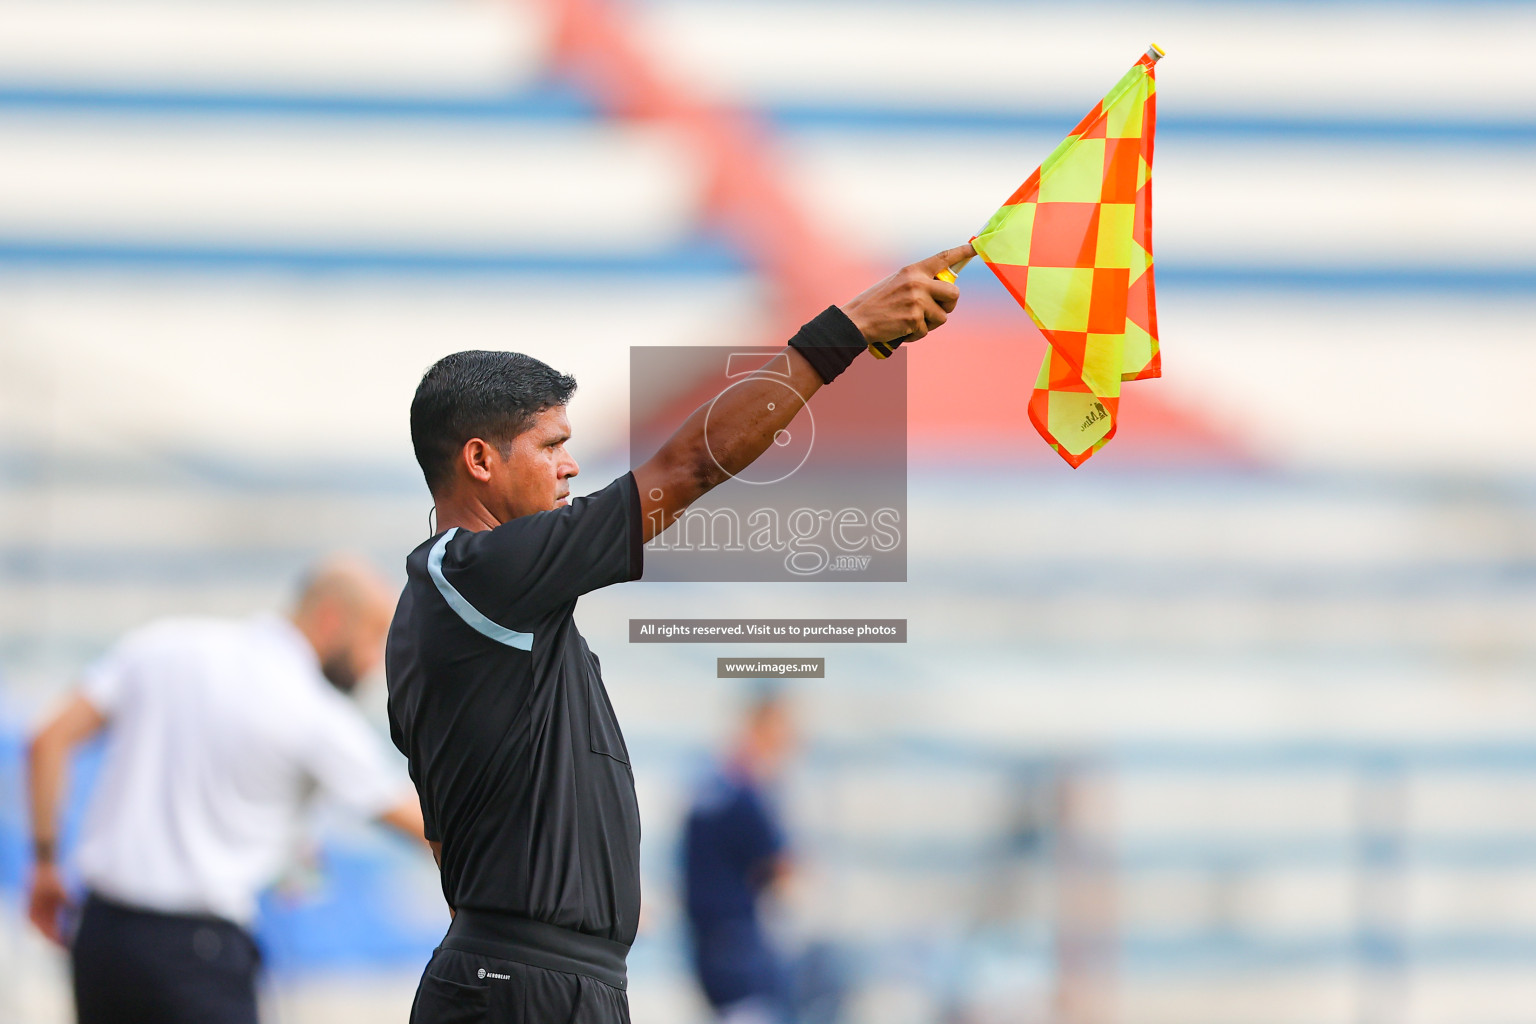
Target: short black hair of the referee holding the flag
{"points": [[489, 395]]}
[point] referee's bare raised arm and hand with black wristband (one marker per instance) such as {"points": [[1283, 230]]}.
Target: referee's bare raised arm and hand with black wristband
{"points": [[744, 421]]}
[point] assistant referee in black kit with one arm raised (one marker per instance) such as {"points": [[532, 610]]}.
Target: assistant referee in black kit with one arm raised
{"points": [[495, 698]]}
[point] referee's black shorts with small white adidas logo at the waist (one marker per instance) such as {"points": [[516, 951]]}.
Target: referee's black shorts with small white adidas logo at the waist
{"points": [[462, 988]]}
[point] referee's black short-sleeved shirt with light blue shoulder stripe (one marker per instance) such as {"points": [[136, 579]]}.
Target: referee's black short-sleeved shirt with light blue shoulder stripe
{"points": [[500, 707]]}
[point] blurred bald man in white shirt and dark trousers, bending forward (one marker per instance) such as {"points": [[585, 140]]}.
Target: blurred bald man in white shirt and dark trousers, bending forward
{"points": [[217, 735]]}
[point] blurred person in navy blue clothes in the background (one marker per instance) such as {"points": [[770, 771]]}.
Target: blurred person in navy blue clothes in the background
{"points": [[733, 853]]}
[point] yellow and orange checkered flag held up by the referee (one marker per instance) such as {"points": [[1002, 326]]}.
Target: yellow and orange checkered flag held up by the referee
{"points": [[1074, 246]]}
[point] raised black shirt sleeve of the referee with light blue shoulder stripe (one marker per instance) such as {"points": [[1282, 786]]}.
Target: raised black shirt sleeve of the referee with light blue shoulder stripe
{"points": [[526, 567]]}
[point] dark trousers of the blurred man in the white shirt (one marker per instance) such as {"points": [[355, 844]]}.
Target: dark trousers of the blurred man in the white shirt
{"points": [[144, 968]]}
